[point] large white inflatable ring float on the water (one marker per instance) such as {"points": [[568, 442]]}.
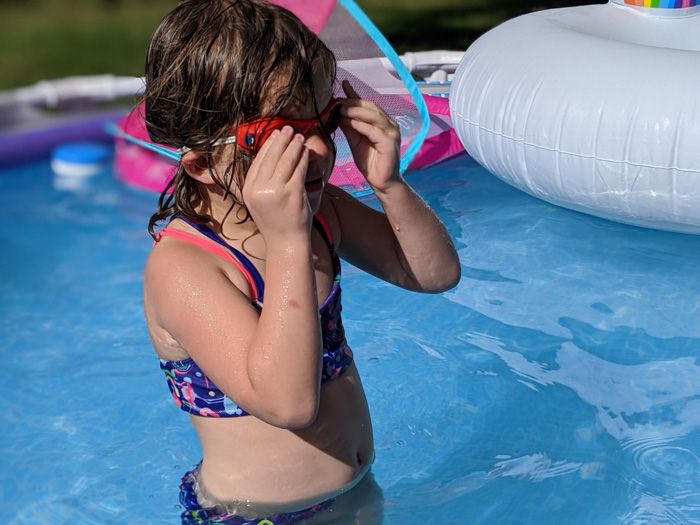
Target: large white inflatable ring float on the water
{"points": [[594, 108]]}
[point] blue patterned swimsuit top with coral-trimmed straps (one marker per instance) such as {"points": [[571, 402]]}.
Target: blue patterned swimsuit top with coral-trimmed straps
{"points": [[192, 390]]}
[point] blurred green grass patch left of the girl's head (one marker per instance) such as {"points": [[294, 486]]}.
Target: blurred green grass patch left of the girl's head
{"points": [[55, 38]]}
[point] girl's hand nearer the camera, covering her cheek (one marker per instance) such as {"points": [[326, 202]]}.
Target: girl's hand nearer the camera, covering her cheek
{"points": [[274, 190]]}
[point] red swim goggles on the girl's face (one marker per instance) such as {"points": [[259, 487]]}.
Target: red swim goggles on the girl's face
{"points": [[250, 136]]}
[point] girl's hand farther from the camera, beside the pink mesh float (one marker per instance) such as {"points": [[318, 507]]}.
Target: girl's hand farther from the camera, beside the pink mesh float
{"points": [[373, 137]]}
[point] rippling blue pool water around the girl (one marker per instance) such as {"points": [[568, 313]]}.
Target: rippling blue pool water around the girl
{"points": [[559, 383]]}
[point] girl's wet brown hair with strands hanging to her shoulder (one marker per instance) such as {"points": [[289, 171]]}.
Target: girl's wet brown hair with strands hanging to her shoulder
{"points": [[213, 64]]}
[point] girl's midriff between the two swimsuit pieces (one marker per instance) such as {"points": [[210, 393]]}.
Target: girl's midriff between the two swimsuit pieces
{"points": [[246, 459]]}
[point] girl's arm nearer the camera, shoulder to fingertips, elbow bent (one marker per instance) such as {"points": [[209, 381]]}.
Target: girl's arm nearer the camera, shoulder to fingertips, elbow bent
{"points": [[269, 363]]}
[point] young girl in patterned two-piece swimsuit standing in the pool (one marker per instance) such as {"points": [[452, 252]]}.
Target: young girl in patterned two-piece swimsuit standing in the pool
{"points": [[242, 289]]}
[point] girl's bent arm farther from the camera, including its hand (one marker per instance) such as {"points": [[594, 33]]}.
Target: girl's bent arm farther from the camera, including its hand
{"points": [[407, 244]]}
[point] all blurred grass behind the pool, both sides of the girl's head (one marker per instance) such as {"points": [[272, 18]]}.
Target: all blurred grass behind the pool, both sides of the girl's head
{"points": [[43, 39]]}
